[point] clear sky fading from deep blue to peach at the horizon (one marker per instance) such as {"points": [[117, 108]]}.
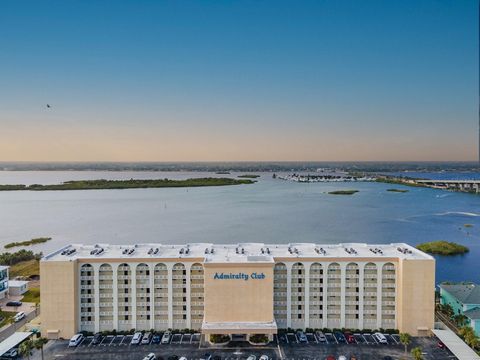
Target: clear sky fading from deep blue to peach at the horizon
{"points": [[324, 80]]}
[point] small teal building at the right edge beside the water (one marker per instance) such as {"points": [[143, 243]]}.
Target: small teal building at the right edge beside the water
{"points": [[464, 300]]}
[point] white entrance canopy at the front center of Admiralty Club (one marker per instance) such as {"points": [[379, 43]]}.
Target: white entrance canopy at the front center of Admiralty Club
{"points": [[239, 327]]}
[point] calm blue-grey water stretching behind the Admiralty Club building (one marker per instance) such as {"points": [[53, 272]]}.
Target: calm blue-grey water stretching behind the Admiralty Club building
{"points": [[270, 211]]}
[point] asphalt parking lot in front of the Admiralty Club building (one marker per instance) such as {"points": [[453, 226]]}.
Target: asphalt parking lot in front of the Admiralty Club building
{"points": [[285, 346]]}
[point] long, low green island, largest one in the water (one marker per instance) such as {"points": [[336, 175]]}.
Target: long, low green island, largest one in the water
{"points": [[103, 184]]}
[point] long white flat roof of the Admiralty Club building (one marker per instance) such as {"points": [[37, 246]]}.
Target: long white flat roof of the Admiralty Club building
{"points": [[237, 253]]}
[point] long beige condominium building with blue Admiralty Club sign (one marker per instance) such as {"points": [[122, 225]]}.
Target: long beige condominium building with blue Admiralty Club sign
{"points": [[241, 289]]}
